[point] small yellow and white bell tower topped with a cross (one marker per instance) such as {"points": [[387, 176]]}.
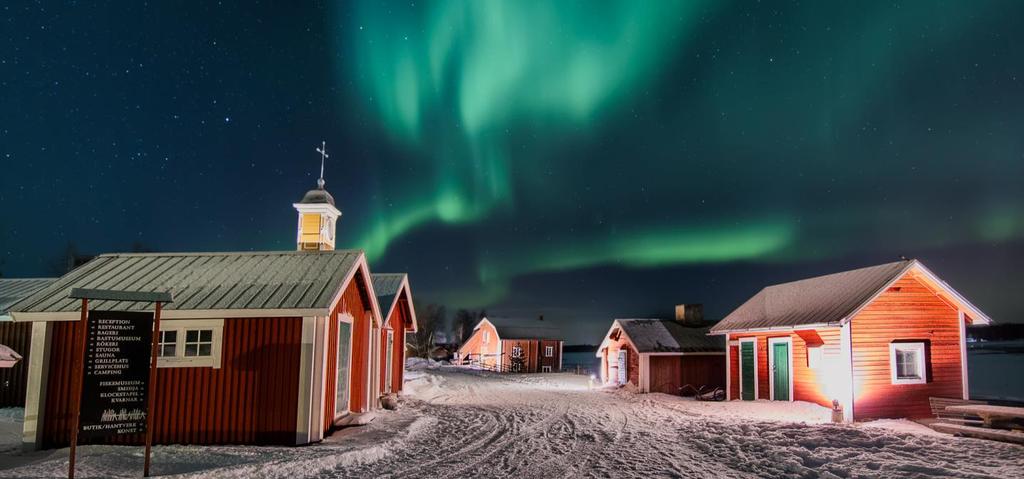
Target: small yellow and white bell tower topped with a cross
{"points": [[318, 215]]}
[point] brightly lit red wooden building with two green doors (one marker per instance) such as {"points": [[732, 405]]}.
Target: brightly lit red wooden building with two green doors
{"points": [[879, 340]]}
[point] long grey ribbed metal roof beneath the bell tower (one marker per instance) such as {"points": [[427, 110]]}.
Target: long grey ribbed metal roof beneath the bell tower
{"points": [[297, 280]]}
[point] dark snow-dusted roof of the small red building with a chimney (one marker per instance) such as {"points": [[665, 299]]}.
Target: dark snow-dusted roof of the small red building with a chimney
{"points": [[670, 336]]}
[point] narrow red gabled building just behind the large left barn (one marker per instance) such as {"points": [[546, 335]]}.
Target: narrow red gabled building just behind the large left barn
{"points": [[396, 302]]}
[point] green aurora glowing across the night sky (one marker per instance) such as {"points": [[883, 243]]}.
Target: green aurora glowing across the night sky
{"points": [[730, 136]]}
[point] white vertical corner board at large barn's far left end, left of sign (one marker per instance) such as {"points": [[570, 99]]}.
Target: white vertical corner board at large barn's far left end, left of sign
{"points": [[35, 398]]}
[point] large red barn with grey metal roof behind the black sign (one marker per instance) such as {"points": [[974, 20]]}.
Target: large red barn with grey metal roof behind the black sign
{"points": [[258, 349]]}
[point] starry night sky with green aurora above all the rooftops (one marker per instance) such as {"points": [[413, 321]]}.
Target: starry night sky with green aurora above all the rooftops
{"points": [[582, 160]]}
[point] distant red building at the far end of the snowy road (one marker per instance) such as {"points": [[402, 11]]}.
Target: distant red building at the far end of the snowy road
{"points": [[514, 346]]}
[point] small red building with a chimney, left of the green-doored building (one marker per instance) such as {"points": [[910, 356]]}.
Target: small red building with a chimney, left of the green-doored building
{"points": [[662, 356]]}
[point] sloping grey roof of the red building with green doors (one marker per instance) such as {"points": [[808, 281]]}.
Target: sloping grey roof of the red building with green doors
{"points": [[822, 300]]}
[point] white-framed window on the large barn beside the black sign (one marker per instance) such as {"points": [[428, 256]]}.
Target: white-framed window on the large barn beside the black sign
{"points": [[190, 343]]}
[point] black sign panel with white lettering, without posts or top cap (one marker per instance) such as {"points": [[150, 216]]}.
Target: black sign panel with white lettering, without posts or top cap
{"points": [[116, 375]]}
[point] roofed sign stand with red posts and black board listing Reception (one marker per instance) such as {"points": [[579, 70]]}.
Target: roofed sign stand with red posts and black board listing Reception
{"points": [[115, 370]]}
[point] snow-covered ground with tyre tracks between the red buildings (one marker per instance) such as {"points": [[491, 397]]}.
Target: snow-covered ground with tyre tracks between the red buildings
{"points": [[457, 423]]}
